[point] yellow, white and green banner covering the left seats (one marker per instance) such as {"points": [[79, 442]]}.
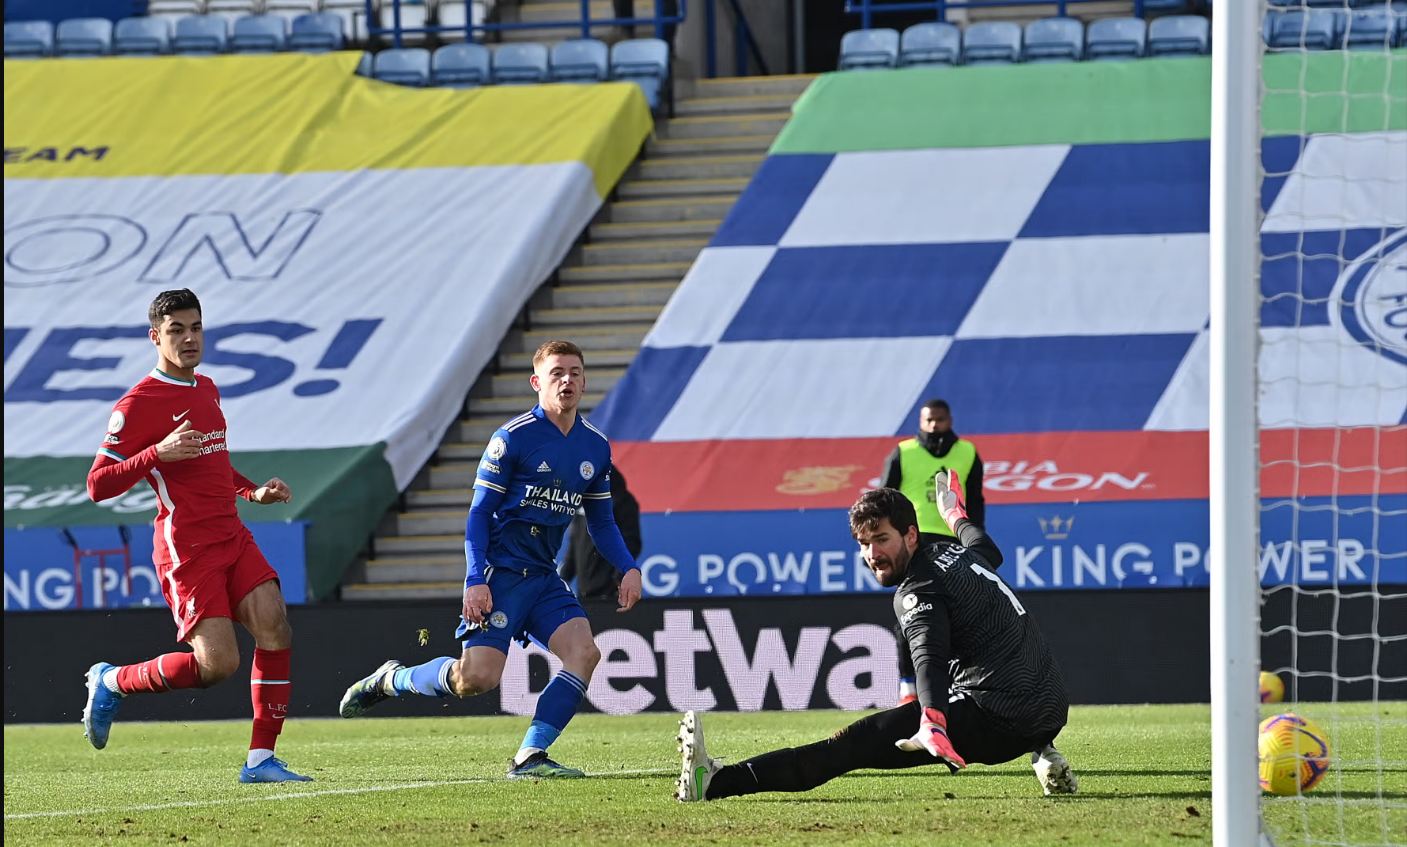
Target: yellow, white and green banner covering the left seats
{"points": [[358, 248]]}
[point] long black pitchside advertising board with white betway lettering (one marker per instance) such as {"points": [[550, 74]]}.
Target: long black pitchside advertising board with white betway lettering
{"points": [[731, 655]]}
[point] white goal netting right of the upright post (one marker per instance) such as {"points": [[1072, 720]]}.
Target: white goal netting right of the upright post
{"points": [[1332, 407]]}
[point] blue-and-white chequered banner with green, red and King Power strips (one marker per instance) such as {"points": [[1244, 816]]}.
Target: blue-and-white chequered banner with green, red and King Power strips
{"points": [[1032, 246]]}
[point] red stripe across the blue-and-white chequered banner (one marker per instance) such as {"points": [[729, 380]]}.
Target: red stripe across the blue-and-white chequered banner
{"points": [[720, 476]]}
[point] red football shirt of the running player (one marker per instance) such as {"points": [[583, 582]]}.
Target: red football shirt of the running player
{"points": [[196, 497]]}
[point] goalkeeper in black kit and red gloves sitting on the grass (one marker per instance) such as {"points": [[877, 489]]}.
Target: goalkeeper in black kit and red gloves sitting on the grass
{"points": [[990, 690]]}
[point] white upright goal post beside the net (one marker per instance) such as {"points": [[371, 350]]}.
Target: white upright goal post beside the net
{"points": [[1233, 424]]}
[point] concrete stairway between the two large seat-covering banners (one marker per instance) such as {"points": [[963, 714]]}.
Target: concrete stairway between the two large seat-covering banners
{"points": [[606, 298]]}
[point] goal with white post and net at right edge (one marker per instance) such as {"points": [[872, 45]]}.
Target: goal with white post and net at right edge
{"points": [[1308, 414]]}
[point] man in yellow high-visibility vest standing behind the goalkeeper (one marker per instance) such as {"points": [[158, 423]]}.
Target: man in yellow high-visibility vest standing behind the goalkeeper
{"points": [[914, 464]]}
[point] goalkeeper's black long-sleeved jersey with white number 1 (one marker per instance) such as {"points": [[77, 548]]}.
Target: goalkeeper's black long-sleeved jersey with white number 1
{"points": [[970, 637]]}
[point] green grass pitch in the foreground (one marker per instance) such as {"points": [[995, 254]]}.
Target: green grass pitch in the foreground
{"points": [[1145, 780]]}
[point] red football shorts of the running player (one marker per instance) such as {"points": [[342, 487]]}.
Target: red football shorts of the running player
{"points": [[213, 583]]}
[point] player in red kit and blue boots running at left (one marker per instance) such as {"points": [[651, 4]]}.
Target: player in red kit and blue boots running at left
{"points": [[170, 431]]}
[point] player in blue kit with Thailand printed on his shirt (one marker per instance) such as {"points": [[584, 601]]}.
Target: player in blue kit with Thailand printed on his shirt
{"points": [[535, 473]]}
